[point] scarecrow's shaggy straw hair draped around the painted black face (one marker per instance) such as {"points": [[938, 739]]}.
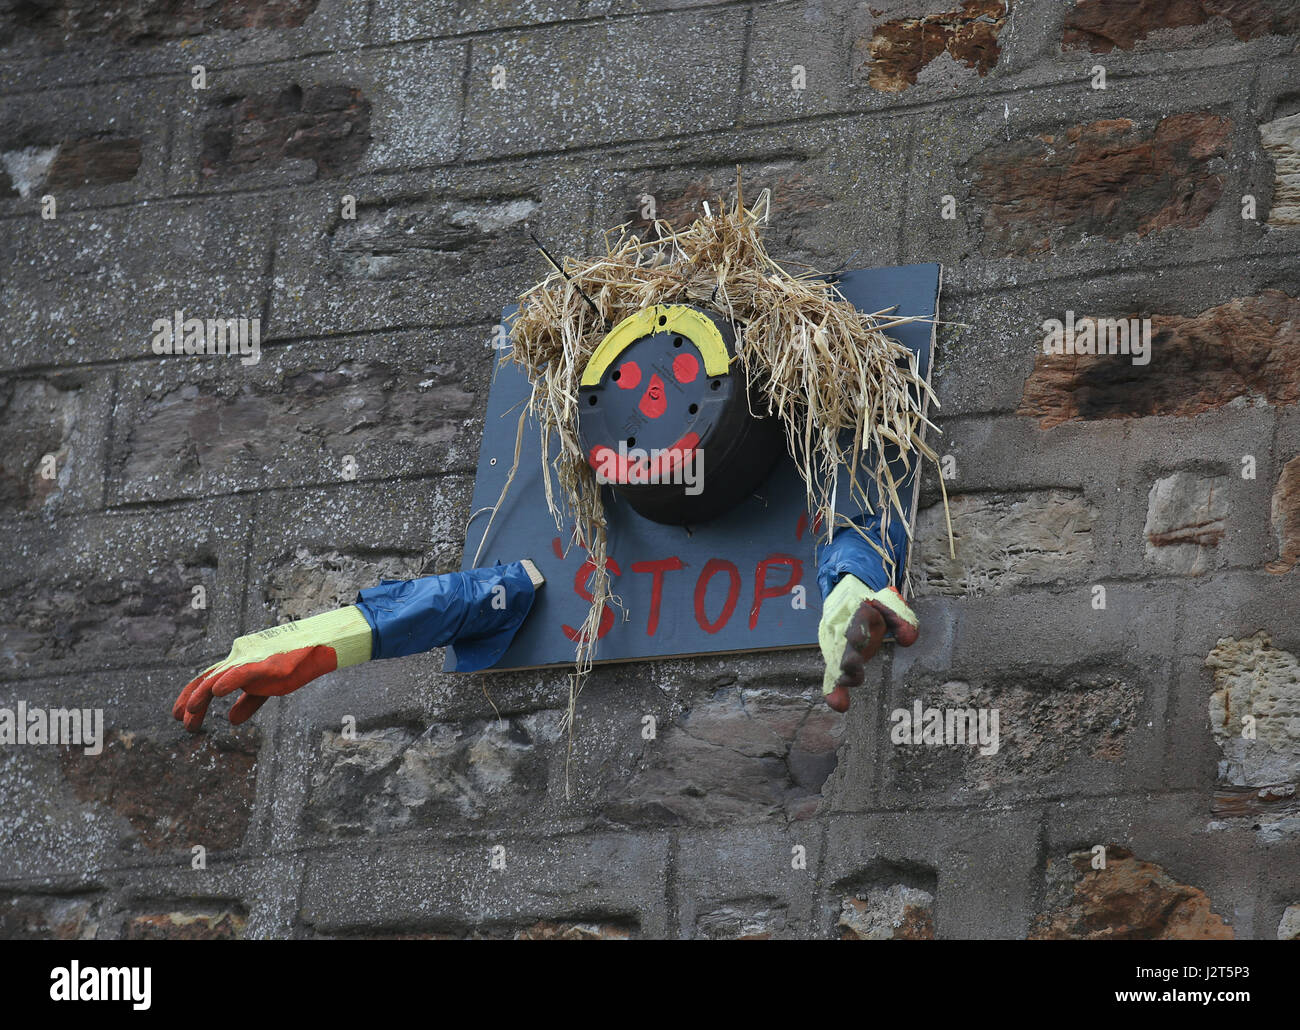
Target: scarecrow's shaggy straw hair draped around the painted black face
{"points": [[843, 388]]}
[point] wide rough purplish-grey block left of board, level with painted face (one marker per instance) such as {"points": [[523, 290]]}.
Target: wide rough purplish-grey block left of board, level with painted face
{"points": [[322, 413]]}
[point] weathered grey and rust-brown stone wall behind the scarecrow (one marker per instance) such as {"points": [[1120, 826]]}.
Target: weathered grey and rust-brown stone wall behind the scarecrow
{"points": [[1124, 594]]}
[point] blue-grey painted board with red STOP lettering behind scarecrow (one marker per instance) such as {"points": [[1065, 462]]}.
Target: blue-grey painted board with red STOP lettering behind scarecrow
{"points": [[723, 587]]}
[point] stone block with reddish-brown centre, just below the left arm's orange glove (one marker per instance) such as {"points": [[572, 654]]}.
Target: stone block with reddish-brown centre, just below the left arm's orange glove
{"points": [[75, 817]]}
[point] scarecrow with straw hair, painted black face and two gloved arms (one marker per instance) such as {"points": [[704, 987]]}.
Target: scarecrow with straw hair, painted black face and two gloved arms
{"points": [[642, 361]]}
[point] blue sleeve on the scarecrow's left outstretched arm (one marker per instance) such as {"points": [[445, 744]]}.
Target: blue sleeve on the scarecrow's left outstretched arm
{"points": [[462, 609]]}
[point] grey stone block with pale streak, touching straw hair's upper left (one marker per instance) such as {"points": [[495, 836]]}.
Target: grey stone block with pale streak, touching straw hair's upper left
{"points": [[454, 254]]}
